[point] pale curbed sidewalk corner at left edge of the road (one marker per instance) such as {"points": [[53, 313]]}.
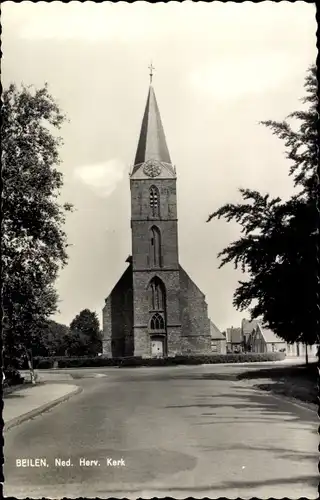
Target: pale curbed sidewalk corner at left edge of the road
{"points": [[26, 403]]}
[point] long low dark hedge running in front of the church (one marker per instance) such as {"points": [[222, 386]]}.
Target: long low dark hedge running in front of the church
{"points": [[100, 361]]}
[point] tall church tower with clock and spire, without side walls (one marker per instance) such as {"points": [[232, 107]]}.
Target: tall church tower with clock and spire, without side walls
{"points": [[154, 226]]}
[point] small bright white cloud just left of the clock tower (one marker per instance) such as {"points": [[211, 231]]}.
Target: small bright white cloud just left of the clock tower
{"points": [[102, 178]]}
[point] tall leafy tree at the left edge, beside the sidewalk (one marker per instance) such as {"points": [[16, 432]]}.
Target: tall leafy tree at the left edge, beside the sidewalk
{"points": [[34, 244]]}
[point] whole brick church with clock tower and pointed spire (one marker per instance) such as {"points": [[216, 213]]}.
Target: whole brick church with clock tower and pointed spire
{"points": [[155, 309]]}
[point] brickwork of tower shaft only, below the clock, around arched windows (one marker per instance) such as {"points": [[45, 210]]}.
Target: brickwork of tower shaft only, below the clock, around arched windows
{"points": [[142, 220]]}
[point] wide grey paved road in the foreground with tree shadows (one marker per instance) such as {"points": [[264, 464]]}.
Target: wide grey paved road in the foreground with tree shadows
{"points": [[180, 431]]}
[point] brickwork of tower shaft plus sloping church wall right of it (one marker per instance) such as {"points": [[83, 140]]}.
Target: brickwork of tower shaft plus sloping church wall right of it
{"points": [[185, 303]]}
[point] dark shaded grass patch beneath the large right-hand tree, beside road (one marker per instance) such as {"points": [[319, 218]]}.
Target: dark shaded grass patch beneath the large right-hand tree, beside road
{"points": [[299, 381]]}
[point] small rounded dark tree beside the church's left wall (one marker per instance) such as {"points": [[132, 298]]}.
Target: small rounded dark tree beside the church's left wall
{"points": [[86, 329]]}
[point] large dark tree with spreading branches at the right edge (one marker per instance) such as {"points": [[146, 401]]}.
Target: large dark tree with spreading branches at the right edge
{"points": [[278, 246]]}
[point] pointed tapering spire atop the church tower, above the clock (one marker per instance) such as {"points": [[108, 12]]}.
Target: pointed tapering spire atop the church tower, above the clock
{"points": [[152, 142]]}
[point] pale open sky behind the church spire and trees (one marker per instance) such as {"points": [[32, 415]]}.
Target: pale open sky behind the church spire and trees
{"points": [[220, 68]]}
